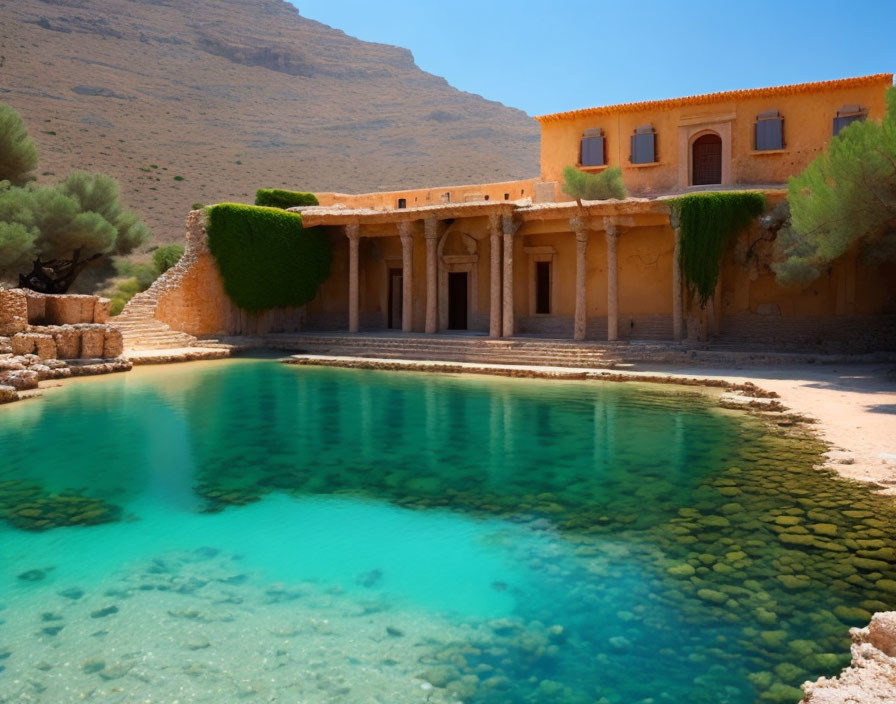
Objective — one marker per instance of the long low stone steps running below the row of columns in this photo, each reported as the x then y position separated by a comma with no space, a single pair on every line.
448,348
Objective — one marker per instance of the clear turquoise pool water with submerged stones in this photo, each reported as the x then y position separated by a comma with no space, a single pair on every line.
581,542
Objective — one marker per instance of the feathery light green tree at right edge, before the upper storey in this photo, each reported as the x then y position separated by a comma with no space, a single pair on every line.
846,197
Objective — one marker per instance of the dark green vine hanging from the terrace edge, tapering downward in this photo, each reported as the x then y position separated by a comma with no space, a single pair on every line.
708,222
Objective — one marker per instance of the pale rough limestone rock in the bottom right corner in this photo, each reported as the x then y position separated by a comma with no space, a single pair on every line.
871,678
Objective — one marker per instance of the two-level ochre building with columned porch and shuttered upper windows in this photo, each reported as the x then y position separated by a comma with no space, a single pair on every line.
522,258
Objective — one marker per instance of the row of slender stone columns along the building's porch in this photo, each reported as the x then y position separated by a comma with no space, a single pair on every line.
502,231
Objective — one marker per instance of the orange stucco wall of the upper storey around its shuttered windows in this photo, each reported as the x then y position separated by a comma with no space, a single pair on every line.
808,125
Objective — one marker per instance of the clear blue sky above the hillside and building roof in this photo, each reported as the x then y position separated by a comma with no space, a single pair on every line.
549,55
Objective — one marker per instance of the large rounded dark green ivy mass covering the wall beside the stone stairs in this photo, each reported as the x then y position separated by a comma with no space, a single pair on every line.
265,256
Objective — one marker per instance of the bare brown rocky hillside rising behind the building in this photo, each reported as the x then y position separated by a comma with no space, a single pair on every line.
206,100
